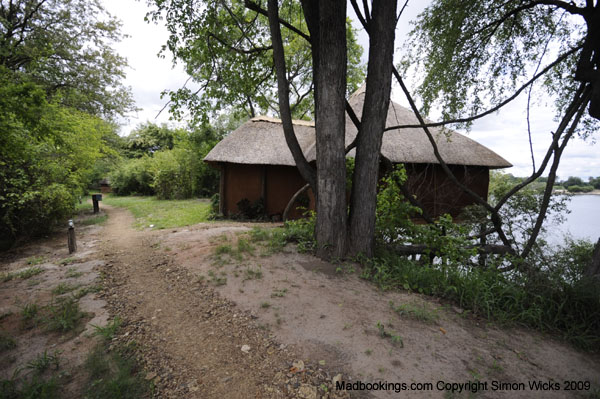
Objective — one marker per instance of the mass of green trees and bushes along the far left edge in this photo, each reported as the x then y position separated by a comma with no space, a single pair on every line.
58,78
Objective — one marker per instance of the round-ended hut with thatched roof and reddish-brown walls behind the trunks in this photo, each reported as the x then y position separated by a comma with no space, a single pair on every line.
256,162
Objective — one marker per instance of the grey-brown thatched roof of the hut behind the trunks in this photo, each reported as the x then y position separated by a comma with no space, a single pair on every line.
261,141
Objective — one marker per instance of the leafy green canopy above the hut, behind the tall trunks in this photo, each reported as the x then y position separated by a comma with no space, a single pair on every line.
226,49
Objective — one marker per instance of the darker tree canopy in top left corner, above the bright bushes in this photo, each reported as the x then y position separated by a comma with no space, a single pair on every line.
64,47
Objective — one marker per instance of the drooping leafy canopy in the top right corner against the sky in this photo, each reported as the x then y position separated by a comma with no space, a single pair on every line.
476,53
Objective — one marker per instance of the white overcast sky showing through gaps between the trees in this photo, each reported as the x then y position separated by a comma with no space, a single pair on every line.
504,132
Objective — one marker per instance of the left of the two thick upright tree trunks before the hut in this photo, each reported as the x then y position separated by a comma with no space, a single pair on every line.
330,130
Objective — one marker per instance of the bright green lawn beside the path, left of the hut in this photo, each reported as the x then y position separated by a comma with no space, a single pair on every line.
162,214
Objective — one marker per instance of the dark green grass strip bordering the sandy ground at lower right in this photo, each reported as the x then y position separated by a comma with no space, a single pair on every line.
569,309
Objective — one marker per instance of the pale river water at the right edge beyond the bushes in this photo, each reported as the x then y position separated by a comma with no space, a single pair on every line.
582,223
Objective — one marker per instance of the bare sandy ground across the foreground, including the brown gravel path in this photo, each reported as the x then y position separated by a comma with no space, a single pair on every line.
288,324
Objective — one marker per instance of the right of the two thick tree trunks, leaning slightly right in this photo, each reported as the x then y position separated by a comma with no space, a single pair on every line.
381,28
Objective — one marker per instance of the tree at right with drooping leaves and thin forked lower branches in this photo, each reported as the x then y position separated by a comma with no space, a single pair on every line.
481,52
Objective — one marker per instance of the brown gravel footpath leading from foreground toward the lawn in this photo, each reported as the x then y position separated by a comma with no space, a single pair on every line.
196,344
